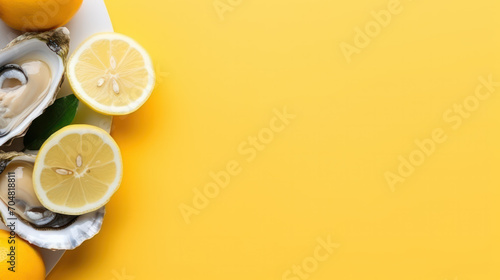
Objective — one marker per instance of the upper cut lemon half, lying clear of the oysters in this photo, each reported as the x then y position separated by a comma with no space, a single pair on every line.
111,73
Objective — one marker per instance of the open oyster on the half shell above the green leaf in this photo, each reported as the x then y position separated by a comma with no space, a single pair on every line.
31,73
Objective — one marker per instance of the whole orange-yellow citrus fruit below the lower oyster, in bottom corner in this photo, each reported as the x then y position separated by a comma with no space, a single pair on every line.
25,260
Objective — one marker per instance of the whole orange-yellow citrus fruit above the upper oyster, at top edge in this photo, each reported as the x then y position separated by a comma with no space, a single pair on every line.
38,15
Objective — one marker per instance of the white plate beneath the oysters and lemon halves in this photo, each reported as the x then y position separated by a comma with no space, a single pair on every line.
91,18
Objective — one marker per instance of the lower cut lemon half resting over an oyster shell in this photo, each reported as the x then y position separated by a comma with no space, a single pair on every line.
77,170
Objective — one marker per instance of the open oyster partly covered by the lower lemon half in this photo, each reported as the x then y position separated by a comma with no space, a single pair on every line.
32,221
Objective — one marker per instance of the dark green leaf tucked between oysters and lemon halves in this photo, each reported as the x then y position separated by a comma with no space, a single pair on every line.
55,117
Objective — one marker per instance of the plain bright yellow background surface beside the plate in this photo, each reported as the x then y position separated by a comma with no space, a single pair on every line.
219,81
